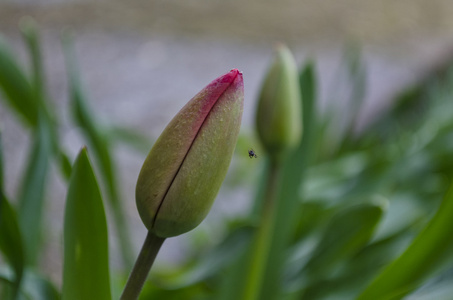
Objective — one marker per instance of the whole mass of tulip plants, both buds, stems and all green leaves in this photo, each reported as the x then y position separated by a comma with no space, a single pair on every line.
338,212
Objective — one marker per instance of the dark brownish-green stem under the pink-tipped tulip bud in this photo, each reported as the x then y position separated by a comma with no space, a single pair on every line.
143,264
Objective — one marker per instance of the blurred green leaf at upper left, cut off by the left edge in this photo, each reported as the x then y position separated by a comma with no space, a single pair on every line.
18,91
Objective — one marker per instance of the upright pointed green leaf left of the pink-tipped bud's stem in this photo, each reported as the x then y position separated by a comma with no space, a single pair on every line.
86,263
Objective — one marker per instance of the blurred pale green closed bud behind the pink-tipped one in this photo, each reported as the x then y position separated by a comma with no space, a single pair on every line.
278,116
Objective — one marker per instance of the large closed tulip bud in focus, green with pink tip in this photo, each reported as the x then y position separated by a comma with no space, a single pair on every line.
186,166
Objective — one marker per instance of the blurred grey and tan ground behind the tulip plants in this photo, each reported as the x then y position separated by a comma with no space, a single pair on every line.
141,61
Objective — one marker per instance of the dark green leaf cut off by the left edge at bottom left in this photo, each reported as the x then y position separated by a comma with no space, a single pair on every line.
11,241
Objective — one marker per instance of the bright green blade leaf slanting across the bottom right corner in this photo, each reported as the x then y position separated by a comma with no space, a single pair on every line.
421,259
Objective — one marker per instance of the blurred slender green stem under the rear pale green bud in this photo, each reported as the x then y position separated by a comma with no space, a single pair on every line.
263,237
